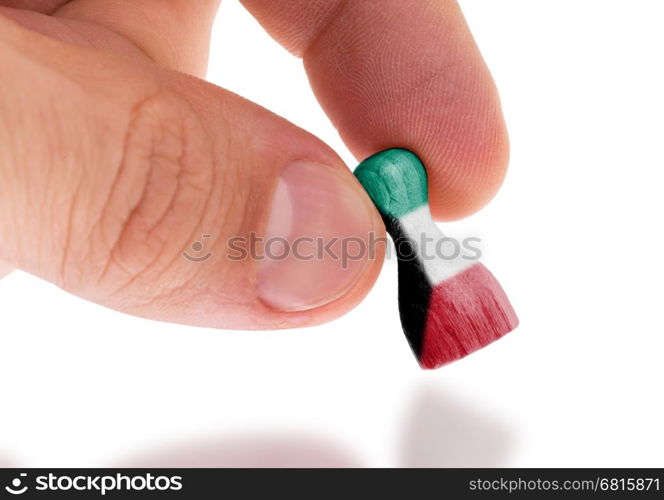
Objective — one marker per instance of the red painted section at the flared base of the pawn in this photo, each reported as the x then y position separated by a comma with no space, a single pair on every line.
465,313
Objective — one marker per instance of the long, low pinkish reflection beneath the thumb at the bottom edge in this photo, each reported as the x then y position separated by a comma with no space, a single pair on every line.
256,451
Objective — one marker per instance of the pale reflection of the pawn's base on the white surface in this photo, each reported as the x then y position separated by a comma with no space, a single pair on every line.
443,431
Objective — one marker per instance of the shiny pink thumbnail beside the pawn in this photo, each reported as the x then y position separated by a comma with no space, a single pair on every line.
316,242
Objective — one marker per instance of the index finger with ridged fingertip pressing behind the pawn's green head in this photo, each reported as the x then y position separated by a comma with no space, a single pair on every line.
391,73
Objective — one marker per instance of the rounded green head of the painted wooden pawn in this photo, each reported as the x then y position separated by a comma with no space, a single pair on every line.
395,180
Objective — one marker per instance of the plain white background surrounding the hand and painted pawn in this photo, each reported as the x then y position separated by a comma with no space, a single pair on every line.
575,237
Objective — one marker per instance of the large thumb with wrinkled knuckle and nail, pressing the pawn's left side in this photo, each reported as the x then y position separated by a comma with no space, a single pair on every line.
163,196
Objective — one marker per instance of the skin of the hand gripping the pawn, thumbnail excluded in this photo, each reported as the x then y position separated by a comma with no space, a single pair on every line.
115,155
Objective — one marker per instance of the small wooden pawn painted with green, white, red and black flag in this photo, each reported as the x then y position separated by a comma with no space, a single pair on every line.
449,307
